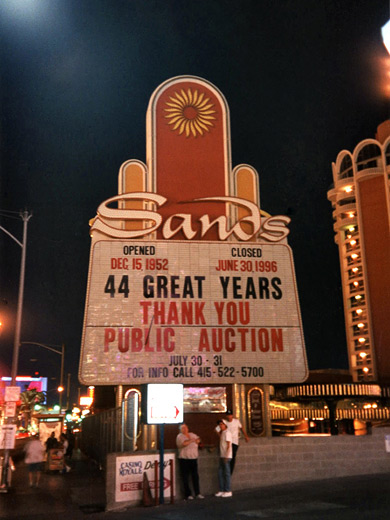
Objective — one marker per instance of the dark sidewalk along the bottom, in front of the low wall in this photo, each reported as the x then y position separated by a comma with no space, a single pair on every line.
80,495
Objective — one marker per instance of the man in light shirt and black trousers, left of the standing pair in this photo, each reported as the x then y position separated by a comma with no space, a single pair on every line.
188,445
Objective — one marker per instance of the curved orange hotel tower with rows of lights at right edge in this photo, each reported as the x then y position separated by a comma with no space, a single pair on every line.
360,200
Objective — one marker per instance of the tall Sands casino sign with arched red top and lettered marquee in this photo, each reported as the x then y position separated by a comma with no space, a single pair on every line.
189,280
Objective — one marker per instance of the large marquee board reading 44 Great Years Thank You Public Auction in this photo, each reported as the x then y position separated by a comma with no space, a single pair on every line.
194,312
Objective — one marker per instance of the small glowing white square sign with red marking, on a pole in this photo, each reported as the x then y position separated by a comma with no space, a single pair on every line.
164,404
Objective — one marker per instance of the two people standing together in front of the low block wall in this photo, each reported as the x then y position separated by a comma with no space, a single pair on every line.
188,443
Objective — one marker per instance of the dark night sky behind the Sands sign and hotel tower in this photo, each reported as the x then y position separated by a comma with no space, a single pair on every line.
304,79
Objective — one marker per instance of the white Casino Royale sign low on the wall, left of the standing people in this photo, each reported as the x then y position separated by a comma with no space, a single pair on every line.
130,471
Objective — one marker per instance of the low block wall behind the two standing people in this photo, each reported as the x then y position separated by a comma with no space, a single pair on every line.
275,460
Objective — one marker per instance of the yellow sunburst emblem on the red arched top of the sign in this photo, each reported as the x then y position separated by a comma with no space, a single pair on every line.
190,113
